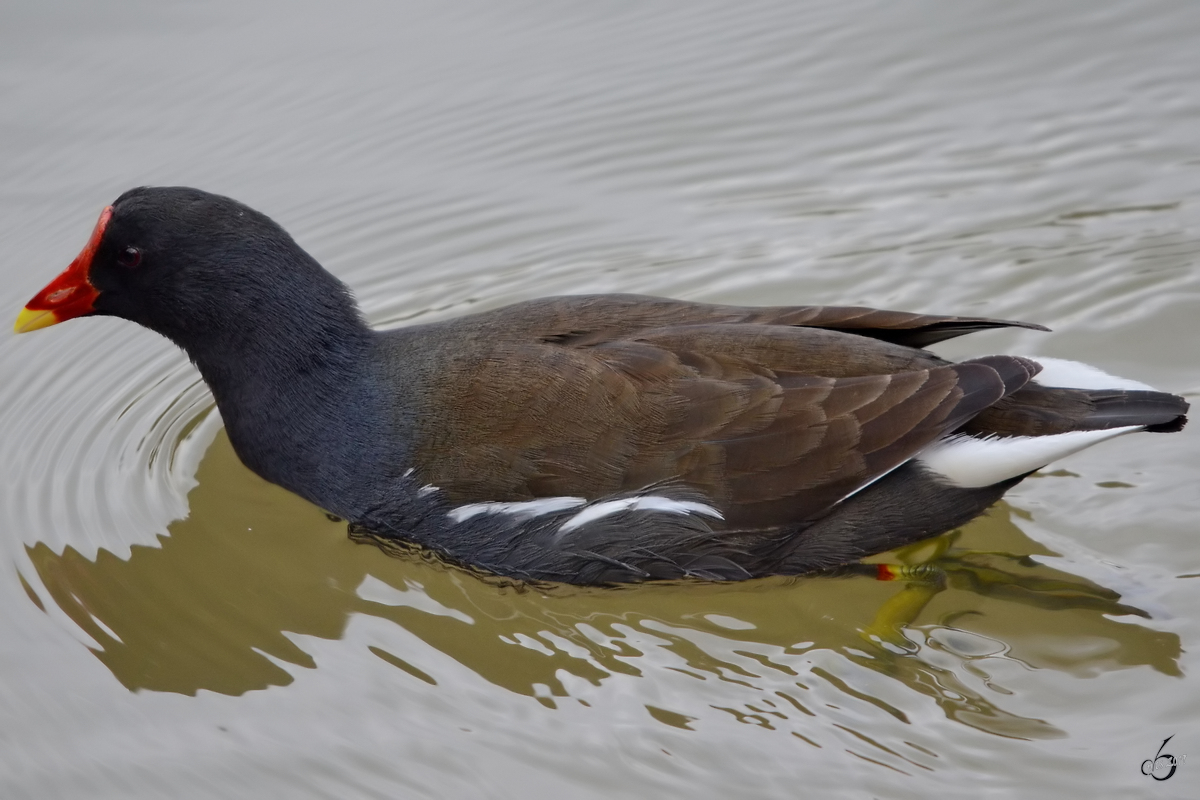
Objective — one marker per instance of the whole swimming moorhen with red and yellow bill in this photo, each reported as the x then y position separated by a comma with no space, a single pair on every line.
591,440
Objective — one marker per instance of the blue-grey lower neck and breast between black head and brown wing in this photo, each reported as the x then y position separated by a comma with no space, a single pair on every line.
298,386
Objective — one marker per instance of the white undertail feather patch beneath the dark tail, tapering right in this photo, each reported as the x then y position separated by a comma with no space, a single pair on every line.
970,464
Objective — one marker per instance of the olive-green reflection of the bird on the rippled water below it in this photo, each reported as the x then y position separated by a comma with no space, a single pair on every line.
213,607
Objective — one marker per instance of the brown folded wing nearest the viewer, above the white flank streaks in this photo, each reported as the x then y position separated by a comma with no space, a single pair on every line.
748,414
